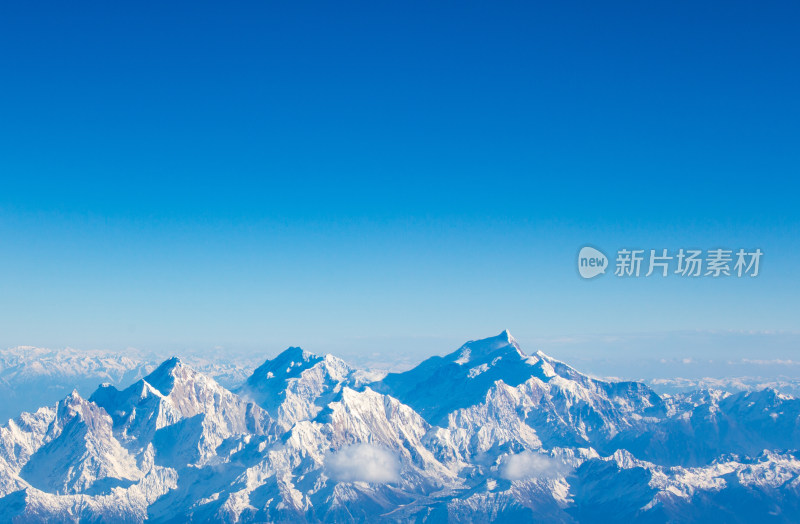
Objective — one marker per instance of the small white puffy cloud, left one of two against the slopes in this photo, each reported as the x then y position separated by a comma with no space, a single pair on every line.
363,463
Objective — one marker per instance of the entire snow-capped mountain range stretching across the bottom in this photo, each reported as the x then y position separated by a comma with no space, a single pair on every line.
486,433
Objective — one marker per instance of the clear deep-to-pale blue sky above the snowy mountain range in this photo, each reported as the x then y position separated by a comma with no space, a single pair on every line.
390,178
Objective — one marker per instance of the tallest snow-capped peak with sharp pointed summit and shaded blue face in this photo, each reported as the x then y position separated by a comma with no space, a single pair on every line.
490,383
